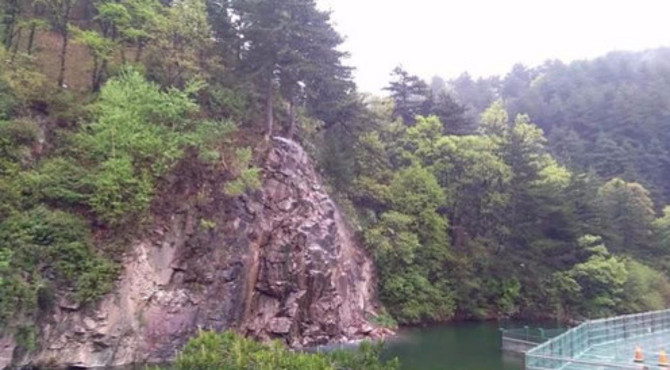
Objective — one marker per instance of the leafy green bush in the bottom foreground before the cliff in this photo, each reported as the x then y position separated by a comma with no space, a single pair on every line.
210,350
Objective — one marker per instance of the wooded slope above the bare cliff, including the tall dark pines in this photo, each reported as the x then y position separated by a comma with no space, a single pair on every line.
111,111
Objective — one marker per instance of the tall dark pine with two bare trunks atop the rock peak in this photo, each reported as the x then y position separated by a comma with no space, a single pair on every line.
288,45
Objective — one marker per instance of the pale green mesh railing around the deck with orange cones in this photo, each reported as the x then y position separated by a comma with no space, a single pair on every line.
567,348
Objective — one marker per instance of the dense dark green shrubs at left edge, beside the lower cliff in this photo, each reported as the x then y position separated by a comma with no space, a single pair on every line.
42,247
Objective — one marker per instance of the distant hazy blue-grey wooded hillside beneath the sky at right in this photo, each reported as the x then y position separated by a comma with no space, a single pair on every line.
609,115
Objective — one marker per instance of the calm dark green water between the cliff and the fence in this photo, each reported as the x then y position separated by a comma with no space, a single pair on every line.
463,346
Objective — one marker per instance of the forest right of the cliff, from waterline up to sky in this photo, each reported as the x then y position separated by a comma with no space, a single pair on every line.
489,211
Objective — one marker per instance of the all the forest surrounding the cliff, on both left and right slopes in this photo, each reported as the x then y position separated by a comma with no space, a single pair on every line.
536,194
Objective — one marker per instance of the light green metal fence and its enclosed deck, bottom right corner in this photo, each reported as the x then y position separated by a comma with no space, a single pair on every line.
604,344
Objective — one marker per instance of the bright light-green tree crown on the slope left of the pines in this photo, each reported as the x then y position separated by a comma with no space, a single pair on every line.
137,119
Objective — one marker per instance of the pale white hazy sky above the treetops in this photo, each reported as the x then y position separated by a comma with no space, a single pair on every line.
484,37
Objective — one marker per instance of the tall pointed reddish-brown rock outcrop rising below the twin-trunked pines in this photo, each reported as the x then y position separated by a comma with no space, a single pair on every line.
312,282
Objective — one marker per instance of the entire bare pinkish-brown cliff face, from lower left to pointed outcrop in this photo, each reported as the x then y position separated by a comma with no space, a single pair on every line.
280,263
